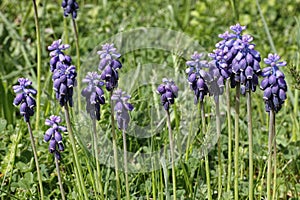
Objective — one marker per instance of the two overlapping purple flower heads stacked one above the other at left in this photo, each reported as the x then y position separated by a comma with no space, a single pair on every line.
64,73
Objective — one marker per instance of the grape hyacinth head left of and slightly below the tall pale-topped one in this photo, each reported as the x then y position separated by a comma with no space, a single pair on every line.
93,94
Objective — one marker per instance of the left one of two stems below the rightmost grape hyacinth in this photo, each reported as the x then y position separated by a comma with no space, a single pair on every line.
269,171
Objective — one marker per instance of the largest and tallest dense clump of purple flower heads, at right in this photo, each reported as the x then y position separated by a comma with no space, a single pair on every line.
236,55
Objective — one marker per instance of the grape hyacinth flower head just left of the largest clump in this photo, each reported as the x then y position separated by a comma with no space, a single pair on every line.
196,76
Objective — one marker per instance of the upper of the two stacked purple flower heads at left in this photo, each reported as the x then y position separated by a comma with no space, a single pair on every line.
57,55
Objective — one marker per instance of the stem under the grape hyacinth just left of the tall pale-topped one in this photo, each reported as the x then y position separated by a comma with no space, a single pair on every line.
98,171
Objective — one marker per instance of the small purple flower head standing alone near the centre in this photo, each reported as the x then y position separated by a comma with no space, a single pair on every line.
168,91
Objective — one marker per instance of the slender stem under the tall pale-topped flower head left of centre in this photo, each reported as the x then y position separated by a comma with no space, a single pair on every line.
114,137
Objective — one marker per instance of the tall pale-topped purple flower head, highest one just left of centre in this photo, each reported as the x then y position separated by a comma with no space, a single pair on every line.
109,65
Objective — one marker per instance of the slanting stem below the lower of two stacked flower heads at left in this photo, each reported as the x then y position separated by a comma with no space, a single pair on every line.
74,151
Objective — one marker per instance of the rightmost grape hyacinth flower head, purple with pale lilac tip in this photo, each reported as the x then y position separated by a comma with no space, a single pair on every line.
273,84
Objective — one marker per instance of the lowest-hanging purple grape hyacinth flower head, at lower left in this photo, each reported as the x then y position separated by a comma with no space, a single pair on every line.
54,136
